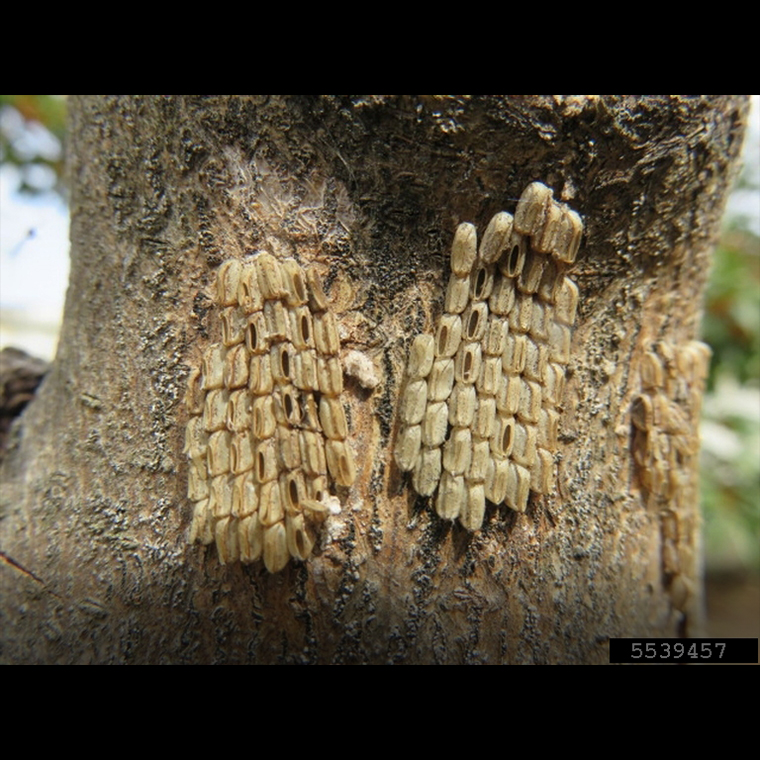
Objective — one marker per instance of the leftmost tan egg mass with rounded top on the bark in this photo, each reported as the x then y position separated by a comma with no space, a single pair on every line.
266,418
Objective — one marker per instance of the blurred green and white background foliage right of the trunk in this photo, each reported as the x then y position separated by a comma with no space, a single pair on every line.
730,465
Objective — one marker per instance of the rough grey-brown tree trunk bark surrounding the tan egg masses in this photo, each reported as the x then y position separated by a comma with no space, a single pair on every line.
94,515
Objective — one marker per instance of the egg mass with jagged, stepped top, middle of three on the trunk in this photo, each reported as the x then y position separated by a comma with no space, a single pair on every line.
479,411
